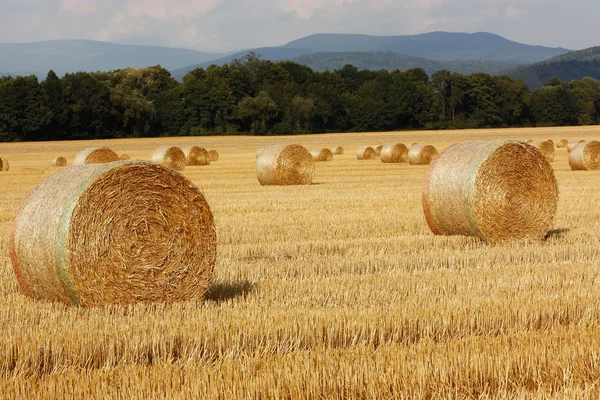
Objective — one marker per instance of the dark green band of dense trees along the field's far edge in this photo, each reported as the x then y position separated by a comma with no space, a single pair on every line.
260,97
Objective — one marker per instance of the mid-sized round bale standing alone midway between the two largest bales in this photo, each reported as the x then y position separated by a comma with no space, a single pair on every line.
285,165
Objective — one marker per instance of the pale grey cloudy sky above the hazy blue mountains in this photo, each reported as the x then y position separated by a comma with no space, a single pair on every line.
224,25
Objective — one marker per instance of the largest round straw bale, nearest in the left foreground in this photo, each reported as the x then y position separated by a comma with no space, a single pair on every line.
116,233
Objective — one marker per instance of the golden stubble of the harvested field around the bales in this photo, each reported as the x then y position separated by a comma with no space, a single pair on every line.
316,295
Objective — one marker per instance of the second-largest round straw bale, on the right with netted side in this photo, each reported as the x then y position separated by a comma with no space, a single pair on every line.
497,190
